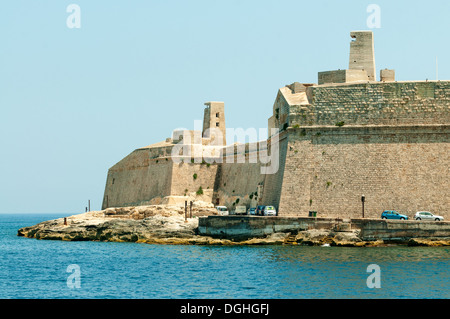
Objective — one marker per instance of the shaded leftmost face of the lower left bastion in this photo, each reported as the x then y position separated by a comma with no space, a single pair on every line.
136,180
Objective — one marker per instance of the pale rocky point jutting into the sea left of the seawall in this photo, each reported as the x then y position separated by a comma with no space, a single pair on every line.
129,224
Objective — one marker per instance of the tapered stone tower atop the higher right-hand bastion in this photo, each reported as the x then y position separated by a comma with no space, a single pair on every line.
362,53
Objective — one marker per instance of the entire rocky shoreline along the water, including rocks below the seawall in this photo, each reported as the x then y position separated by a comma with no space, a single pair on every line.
163,224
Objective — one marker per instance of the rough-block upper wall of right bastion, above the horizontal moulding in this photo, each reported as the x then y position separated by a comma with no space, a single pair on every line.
375,103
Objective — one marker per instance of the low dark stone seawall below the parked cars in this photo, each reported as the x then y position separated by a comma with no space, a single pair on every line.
241,228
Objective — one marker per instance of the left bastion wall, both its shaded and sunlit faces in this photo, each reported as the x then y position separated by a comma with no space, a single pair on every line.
147,175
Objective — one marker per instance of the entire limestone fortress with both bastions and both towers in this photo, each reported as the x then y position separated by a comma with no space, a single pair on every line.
346,137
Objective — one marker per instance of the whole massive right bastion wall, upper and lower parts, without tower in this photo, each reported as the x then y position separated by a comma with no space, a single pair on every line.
387,141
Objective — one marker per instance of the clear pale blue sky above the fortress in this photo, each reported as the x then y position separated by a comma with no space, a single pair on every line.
76,101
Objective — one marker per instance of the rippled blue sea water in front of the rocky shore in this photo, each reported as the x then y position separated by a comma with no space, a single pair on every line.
37,269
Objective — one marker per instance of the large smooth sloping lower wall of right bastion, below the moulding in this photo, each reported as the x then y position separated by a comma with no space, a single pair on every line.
400,168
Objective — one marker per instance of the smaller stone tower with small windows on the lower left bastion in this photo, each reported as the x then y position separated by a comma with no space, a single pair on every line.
214,122
